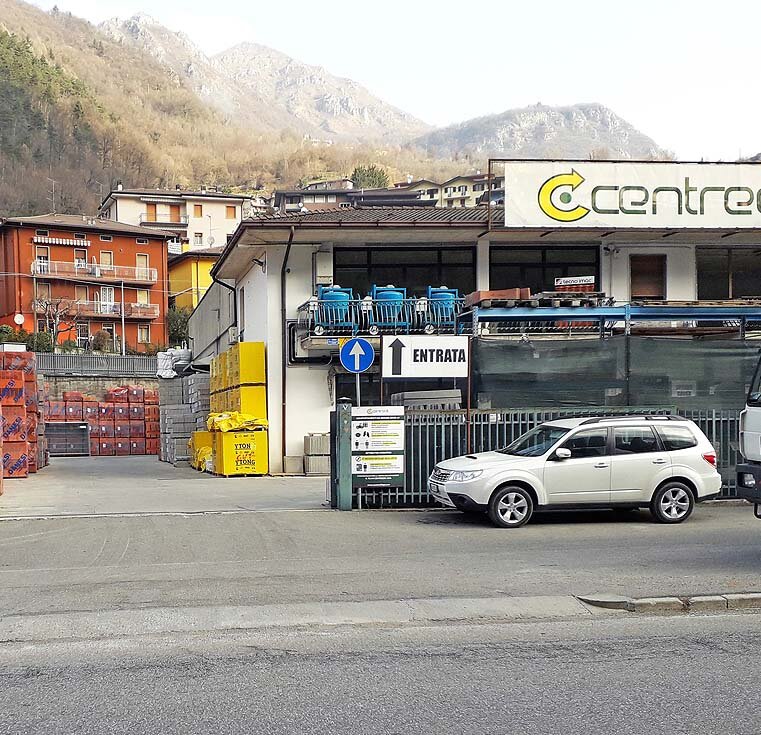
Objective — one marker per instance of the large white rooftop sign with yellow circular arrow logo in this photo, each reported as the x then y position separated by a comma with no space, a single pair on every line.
622,195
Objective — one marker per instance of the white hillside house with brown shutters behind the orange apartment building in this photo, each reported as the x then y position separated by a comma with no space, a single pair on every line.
198,219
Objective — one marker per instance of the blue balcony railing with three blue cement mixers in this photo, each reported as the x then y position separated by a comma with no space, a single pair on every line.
325,318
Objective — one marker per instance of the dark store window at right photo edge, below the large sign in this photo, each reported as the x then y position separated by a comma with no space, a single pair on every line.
728,274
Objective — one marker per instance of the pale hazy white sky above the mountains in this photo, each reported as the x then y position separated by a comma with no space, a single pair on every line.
683,72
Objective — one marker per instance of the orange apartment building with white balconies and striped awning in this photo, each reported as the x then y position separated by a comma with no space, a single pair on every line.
82,265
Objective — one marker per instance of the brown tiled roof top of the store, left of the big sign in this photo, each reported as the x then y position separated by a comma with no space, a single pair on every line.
443,217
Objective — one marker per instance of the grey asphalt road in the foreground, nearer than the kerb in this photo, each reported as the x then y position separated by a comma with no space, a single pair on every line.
697,675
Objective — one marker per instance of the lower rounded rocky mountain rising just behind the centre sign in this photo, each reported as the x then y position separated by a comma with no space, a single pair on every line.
540,131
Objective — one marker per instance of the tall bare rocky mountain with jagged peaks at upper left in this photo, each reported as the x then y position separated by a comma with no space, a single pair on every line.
266,89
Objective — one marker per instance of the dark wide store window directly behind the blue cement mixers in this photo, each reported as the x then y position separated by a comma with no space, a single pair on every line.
409,267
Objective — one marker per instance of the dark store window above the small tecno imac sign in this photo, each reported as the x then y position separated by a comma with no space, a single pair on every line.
538,267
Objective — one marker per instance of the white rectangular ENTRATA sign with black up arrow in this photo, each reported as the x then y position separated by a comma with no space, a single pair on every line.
419,356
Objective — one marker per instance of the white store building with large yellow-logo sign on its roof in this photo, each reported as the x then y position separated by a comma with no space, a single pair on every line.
280,265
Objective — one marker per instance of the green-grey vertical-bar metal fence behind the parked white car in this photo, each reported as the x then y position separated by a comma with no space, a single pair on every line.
433,436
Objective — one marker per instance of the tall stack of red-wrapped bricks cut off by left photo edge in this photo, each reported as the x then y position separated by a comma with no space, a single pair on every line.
22,434
